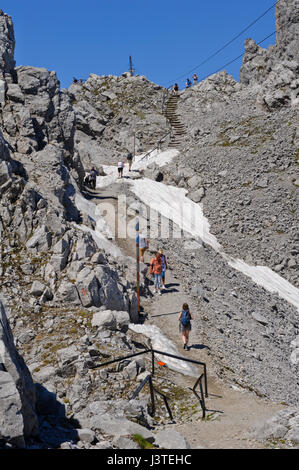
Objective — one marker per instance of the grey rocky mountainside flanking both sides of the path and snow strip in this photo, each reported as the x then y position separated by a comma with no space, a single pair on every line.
68,294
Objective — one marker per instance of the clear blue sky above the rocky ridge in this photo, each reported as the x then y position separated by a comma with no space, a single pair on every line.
166,39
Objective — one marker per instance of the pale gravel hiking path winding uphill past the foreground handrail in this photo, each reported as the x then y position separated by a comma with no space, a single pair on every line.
232,411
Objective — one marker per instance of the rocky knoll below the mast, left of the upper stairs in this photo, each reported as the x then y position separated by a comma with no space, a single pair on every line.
115,115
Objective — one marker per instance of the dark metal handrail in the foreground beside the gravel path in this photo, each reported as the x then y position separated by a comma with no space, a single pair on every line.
153,351
